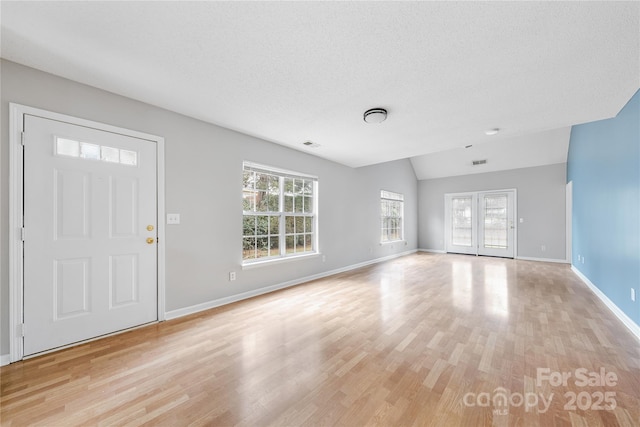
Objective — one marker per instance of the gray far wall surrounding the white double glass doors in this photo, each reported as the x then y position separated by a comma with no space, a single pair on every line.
541,203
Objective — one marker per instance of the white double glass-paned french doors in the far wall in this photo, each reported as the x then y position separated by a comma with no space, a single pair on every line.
481,223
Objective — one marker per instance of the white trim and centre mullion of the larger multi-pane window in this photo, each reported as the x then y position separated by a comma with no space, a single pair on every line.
283,173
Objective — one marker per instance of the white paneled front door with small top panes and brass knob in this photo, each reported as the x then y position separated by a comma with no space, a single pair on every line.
90,219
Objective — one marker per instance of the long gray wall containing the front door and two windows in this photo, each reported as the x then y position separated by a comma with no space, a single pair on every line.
203,184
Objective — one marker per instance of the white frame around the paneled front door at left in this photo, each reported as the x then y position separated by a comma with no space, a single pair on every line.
16,191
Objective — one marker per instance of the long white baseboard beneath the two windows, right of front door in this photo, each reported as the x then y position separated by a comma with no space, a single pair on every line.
173,314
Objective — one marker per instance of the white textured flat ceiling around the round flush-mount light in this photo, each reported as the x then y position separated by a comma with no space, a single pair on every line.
289,72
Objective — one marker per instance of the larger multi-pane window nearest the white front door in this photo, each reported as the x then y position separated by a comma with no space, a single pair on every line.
279,213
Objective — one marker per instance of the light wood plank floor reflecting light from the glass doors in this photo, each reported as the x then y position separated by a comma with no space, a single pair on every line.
421,340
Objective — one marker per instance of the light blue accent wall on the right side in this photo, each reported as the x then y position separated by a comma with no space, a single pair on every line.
604,165
